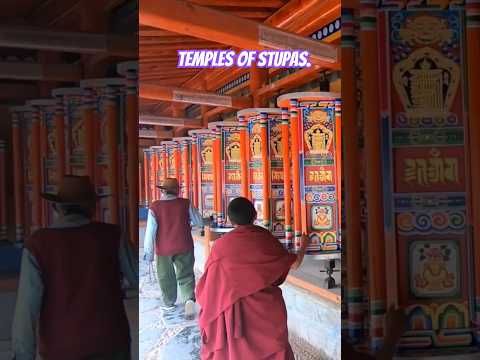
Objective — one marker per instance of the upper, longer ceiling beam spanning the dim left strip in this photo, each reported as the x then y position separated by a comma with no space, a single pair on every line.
74,42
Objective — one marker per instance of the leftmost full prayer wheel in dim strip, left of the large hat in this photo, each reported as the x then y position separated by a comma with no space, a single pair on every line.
21,139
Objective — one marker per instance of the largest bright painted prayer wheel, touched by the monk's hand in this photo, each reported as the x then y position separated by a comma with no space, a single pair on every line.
315,148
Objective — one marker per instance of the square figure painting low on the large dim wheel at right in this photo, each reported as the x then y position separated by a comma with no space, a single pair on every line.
434,268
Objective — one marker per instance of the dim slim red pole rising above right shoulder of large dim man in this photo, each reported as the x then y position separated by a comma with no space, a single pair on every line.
111,113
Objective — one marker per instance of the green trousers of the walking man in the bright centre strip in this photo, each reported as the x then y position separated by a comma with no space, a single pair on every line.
173,270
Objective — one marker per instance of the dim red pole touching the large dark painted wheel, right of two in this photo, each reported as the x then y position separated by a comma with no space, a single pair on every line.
371,115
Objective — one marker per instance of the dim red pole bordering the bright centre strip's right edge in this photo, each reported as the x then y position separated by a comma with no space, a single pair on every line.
351,178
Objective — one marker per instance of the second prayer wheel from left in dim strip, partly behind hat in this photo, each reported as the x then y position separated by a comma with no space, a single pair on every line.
44,163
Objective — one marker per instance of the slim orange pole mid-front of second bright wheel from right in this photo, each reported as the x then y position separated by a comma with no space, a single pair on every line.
265,169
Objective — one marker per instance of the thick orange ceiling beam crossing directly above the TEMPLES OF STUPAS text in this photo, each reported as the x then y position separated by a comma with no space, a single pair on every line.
212,25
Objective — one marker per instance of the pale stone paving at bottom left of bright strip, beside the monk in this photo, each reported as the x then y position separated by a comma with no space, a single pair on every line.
163,336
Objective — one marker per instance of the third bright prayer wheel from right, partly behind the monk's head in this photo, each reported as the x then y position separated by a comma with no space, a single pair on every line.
227,168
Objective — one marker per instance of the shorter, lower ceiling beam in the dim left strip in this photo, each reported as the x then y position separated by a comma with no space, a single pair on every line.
40,72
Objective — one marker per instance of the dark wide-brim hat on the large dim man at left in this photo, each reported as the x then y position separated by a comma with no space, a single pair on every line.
74,190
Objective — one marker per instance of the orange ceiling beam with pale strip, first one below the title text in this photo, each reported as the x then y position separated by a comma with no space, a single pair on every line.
182,95
